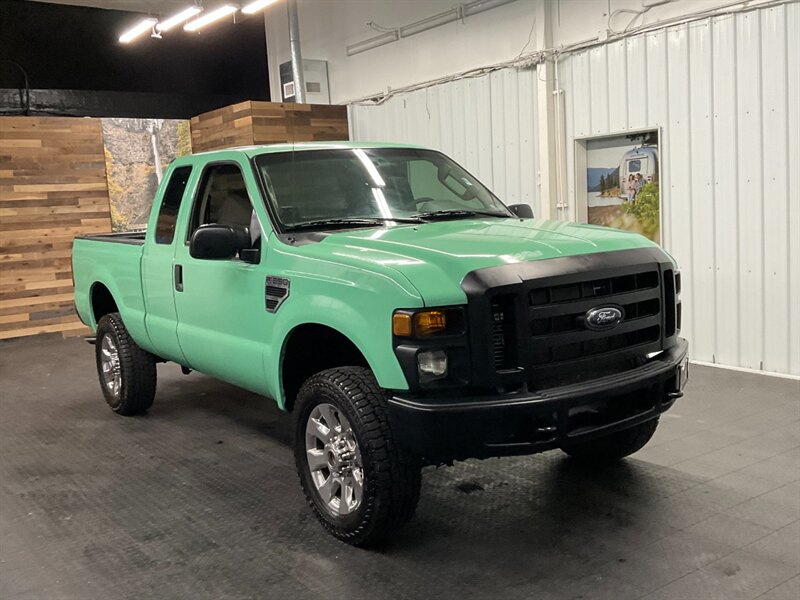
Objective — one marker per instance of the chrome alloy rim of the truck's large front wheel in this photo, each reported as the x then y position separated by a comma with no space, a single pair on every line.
334,460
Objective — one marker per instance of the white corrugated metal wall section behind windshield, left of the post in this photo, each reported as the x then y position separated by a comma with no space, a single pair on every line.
487,124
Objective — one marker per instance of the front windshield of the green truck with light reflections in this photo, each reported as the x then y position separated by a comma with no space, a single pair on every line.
363,187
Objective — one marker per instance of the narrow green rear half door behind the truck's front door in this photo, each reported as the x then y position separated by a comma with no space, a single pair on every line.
158,270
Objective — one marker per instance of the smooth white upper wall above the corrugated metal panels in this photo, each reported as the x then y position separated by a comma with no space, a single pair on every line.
496,35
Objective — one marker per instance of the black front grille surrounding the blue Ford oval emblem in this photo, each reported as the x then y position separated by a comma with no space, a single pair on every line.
528,321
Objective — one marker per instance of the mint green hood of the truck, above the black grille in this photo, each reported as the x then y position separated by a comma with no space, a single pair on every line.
436,256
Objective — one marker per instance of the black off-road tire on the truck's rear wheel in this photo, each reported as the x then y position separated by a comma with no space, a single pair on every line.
137,369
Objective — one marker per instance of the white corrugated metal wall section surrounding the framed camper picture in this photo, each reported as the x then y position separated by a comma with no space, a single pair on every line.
719,89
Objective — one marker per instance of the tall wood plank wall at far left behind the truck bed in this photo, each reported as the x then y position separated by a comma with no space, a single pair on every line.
52,187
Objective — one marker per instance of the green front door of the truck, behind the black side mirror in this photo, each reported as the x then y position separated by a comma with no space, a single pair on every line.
222,320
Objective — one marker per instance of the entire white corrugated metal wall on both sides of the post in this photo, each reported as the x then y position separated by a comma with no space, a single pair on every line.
726,94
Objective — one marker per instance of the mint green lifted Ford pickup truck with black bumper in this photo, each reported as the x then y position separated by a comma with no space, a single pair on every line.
400,311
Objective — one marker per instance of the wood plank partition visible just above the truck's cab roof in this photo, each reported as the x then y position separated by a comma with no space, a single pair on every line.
253,122
